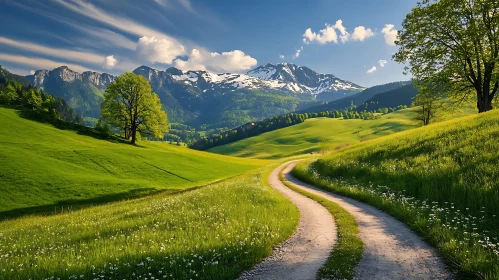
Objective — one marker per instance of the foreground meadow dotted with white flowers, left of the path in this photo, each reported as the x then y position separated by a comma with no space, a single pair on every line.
213,232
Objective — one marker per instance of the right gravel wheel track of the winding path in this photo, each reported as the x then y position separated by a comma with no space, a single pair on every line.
391,250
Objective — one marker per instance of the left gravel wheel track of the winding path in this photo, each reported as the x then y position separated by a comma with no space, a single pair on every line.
301,256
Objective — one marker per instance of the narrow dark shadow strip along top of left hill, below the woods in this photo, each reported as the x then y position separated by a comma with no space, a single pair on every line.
62,125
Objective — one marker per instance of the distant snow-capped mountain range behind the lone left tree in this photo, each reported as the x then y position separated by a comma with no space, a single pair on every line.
202,98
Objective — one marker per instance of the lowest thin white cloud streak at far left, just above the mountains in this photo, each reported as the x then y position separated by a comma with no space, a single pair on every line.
41,63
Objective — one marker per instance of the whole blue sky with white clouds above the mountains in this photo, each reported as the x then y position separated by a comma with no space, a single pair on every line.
352,39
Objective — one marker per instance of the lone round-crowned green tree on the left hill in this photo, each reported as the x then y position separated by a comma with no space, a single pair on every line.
131,106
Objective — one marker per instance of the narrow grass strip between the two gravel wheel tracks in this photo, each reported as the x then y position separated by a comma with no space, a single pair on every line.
348,249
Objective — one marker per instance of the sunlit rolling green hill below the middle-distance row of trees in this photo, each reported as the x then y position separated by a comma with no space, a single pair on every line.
317,134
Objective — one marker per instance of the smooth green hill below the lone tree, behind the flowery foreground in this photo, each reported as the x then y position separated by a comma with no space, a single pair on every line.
44,169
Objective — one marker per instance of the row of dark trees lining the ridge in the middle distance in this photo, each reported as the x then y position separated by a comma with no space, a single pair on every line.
256,128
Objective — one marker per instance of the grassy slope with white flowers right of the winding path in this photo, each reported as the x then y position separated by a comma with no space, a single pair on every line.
442,180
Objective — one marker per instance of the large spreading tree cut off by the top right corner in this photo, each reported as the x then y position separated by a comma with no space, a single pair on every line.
453,45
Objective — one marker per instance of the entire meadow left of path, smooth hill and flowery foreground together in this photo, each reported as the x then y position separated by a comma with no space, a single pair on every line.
214,231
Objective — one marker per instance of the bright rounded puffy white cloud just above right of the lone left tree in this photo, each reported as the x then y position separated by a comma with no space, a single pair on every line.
159,50
